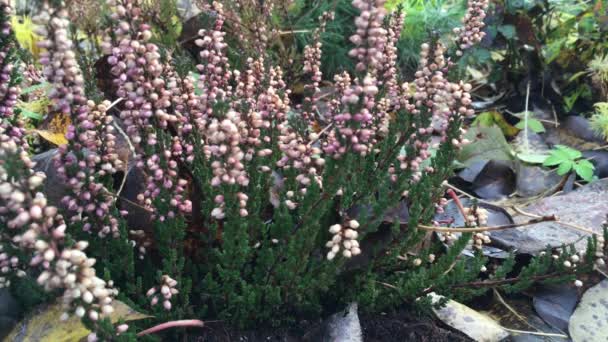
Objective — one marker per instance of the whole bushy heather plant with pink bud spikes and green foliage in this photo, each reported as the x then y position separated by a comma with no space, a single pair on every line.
258,208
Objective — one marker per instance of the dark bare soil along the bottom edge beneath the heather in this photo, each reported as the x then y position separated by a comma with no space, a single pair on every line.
400,326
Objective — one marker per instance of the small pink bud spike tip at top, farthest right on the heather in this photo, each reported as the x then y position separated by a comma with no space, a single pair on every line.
472,33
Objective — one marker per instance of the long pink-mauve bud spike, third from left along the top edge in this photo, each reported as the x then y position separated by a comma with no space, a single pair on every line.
138,73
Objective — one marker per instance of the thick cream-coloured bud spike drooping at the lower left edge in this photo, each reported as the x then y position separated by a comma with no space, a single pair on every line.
35,227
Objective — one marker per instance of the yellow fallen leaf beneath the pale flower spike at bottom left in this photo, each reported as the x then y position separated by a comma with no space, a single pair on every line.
46,325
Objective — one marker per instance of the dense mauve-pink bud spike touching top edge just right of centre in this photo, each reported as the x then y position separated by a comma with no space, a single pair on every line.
370,36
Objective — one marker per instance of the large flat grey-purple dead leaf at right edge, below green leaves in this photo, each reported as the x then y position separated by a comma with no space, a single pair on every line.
586,207
